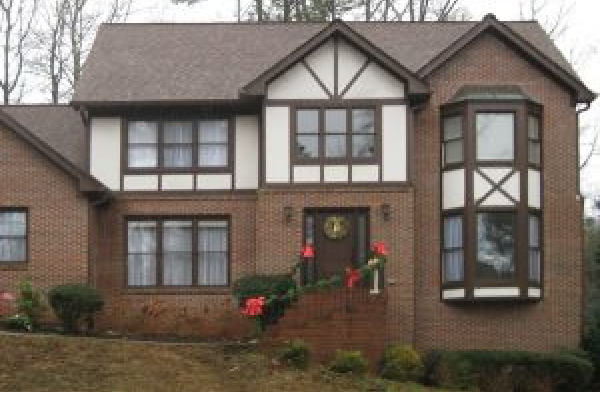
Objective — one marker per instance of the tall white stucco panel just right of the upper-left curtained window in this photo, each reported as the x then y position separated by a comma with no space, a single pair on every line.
246,152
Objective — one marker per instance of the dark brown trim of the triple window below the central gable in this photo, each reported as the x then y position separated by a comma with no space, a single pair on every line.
321,107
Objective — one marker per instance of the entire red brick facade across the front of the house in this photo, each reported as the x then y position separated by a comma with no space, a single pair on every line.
263,241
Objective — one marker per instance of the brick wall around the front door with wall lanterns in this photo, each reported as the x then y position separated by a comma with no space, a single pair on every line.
281,242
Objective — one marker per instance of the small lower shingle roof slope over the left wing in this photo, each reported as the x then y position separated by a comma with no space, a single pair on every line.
59,126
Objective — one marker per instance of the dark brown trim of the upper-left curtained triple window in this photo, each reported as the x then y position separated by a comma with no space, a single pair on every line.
195,168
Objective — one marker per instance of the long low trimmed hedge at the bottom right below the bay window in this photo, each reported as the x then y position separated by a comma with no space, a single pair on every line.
508,371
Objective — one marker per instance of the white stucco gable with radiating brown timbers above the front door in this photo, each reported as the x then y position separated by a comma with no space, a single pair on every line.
336,69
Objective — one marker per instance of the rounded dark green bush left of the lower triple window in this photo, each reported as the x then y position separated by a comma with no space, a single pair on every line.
75,304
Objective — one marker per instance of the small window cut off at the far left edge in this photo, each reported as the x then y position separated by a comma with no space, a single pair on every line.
13,236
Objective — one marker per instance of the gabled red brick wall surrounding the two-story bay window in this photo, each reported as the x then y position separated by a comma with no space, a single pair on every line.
554,322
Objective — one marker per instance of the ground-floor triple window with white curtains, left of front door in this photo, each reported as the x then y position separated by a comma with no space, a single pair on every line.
177,252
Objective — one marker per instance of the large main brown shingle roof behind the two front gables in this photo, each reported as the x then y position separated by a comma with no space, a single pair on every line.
183,62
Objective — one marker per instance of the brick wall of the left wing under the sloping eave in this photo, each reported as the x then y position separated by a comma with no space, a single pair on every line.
57,214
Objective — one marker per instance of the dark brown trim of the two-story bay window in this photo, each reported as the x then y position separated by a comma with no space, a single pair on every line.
520,163
